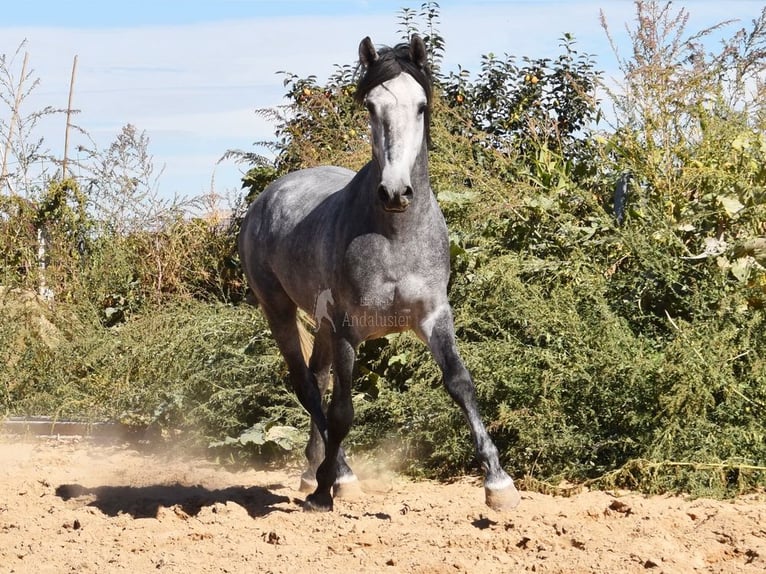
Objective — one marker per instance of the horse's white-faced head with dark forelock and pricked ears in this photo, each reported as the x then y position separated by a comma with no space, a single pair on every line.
396,89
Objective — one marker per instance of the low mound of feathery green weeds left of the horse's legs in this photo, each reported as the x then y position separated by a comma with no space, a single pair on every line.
208,370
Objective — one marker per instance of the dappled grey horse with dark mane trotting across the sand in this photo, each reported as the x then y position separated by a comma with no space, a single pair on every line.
373,248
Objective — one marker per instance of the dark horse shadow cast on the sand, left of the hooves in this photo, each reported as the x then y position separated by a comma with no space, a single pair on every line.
145,501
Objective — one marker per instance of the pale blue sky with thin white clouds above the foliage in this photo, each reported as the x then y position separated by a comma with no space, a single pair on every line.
191,73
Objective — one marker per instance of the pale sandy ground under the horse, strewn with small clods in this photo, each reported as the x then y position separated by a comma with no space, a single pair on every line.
73,507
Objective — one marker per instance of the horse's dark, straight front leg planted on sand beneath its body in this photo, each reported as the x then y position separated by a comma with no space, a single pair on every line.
340,414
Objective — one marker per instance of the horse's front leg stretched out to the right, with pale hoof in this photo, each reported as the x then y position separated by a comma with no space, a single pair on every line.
439,333
